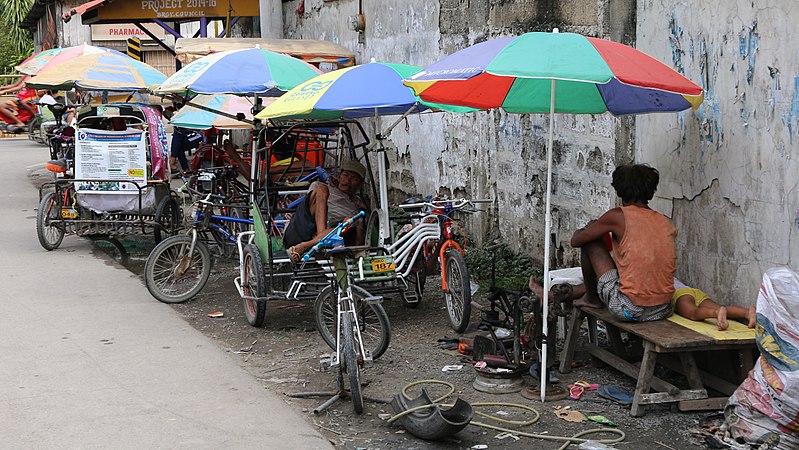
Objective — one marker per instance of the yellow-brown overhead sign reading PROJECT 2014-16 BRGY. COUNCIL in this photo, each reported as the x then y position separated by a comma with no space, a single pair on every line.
170,9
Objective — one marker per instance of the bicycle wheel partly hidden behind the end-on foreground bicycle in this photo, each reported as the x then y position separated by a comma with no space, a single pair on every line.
372,321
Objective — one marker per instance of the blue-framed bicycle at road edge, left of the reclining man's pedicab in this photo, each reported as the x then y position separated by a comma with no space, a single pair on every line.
179,266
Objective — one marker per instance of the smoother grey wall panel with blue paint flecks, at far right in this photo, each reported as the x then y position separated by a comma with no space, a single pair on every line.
731,167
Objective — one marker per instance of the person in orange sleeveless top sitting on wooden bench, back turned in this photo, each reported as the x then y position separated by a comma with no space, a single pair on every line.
639,284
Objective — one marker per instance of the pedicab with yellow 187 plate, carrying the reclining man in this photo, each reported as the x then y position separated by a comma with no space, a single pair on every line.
289,158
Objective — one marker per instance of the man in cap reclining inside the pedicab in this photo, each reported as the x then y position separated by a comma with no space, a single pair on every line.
324,207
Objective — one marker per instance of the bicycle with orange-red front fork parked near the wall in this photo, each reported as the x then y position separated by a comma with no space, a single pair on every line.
429,243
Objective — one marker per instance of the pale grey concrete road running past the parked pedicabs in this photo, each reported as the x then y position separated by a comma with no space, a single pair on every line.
89,360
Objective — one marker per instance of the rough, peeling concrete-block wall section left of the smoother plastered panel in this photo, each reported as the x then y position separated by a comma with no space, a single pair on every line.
488,154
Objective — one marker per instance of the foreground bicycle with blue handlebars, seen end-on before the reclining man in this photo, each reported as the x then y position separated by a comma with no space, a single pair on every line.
352,352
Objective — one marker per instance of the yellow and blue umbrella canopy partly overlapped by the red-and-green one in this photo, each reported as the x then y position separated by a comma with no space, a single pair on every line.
367,90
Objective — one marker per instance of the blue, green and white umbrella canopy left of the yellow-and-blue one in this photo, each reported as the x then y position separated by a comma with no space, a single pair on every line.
248,71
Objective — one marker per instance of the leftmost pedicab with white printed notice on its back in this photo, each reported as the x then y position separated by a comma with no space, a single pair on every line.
118,184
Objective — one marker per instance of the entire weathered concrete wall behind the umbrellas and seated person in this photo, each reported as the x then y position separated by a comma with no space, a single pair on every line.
726,169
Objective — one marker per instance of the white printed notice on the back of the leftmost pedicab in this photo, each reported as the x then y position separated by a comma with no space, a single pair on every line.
110,155
